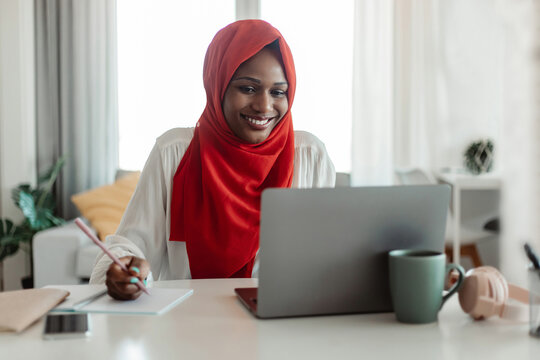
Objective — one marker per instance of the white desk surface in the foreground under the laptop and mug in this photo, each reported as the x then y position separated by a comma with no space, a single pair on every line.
212,324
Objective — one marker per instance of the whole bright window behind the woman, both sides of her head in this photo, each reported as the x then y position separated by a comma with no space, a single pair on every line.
161,47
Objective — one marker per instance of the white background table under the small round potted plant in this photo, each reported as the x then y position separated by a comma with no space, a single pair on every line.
460,182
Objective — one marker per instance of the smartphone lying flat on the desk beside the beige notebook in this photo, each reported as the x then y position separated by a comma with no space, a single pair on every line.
61,326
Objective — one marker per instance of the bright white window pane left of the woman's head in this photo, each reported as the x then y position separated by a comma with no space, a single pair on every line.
161,48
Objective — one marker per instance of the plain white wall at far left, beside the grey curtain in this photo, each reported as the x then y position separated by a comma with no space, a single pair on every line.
17,117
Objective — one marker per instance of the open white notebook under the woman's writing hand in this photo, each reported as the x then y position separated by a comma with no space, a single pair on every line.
158,302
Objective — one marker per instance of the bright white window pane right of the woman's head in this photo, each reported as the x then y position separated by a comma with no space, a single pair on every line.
319,35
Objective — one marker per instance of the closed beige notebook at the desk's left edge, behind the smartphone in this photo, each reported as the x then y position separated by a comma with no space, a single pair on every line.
20,308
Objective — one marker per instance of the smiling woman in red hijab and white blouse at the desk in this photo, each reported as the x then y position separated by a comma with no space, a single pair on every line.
195,212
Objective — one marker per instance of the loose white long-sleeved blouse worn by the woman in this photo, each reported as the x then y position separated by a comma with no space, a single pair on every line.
145,226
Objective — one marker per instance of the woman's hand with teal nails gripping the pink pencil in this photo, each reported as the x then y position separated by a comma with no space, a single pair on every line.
122,285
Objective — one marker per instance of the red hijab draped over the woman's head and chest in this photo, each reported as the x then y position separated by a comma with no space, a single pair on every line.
217,187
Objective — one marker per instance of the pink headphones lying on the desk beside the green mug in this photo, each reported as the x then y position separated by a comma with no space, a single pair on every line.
485,292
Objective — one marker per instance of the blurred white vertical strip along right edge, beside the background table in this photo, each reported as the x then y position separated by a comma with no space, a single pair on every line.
521,140
